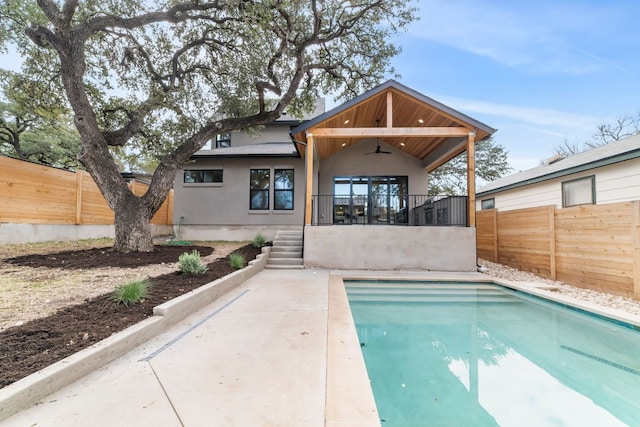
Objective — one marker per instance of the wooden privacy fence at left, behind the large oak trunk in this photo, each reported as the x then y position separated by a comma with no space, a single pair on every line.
37,194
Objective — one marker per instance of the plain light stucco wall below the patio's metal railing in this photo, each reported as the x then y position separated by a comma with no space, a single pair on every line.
390,248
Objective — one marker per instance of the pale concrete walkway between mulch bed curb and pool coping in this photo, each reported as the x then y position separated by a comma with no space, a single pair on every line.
255,357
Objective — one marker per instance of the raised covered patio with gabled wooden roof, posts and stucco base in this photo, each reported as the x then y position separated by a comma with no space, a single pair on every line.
402,130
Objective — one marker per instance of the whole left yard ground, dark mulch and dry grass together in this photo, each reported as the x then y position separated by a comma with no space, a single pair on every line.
55,298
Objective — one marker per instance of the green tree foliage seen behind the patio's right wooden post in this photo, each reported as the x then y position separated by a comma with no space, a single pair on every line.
451,177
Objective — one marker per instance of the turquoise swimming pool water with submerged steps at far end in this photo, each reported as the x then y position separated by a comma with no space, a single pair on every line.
457,354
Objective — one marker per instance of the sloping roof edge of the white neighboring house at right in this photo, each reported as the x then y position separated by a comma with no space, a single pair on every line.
614,152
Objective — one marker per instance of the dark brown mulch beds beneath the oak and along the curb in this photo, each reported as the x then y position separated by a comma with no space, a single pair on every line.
37,344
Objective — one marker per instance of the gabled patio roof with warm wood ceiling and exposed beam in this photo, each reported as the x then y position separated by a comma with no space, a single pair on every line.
398,116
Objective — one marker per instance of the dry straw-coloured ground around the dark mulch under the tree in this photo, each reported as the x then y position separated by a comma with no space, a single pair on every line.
32,291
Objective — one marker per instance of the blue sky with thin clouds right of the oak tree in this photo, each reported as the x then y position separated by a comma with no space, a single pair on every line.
541,72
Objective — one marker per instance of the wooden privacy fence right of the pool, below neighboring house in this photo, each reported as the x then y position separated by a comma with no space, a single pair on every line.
595,246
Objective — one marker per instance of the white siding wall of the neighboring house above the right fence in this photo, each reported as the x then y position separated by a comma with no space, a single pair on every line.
615,183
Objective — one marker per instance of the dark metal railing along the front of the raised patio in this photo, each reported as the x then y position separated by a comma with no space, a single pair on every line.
408,209
